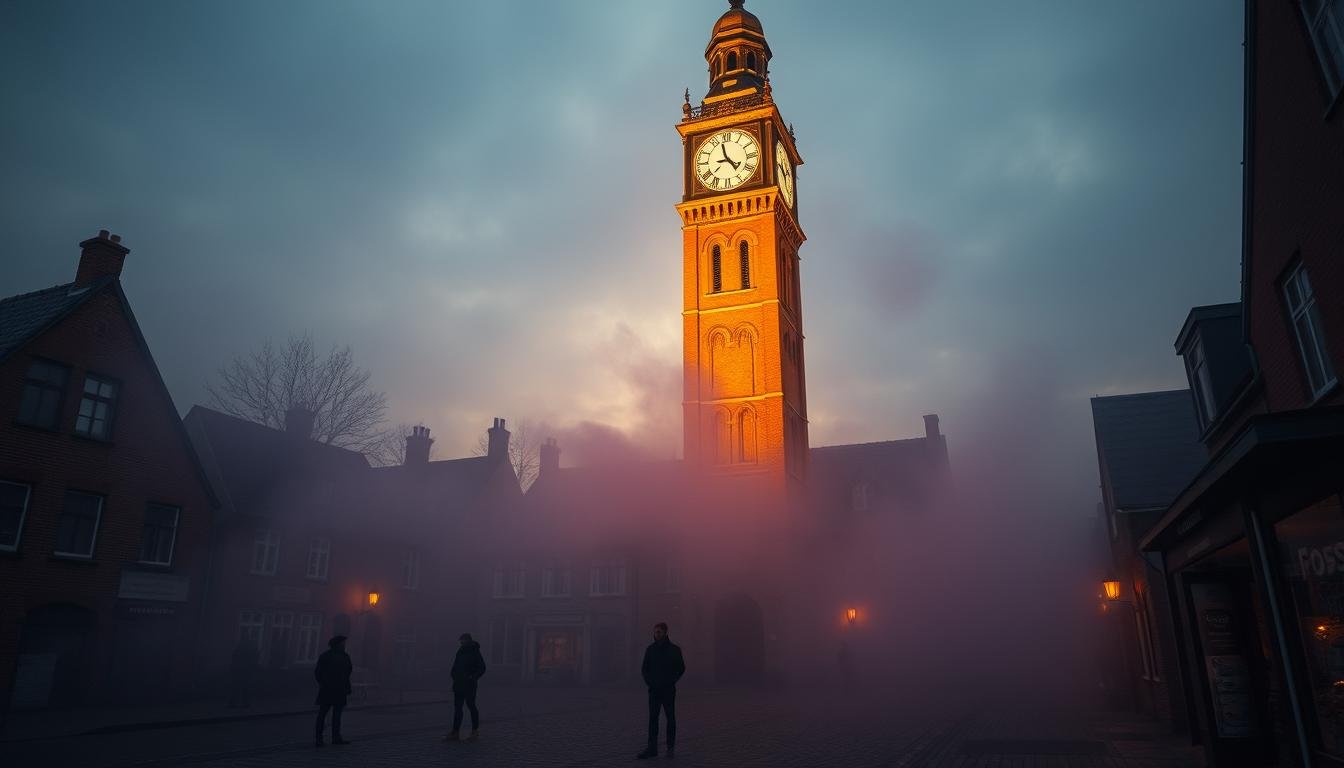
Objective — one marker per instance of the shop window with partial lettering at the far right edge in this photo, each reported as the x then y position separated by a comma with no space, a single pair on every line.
1312,555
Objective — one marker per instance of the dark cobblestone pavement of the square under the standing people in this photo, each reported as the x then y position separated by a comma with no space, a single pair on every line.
605,728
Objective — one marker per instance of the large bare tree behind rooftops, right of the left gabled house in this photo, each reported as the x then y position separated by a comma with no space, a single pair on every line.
263,385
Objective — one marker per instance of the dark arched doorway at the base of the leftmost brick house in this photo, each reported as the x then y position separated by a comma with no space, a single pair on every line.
54,645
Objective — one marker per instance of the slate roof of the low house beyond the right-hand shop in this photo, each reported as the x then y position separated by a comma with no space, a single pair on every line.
1148,447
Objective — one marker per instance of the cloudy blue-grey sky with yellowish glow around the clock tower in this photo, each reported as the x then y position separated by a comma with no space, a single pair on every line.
1010,206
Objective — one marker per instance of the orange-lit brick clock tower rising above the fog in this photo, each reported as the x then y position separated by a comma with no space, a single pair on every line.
745,407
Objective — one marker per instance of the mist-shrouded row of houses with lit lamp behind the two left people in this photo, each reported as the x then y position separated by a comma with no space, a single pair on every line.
308,533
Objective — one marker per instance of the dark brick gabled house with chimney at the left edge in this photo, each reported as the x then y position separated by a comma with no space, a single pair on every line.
106,516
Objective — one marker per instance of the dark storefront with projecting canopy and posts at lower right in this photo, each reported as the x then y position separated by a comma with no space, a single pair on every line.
1253,553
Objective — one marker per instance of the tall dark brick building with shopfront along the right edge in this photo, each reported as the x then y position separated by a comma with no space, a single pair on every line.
1253,548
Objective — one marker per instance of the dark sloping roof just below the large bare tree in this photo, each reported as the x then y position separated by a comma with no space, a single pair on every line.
252,465
